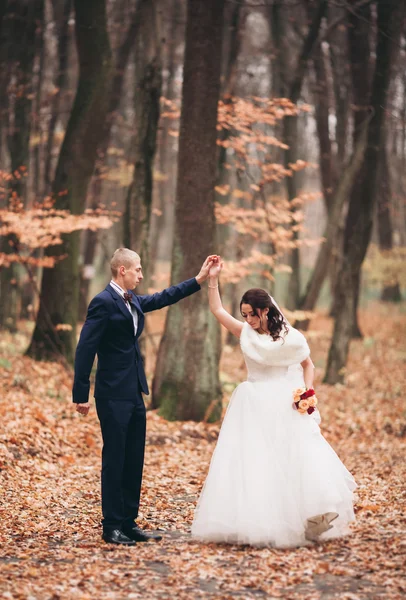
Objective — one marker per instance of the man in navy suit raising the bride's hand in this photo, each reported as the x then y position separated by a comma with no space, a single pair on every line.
114,322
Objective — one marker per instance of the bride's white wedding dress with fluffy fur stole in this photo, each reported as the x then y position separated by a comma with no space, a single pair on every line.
272,469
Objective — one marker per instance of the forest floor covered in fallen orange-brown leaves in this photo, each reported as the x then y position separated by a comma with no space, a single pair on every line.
50,540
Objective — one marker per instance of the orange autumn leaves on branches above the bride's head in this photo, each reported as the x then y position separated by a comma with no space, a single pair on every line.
265,223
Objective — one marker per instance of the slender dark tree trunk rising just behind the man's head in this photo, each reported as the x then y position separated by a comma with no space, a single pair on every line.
147,94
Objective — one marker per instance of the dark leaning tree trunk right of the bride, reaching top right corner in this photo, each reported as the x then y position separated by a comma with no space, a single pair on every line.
361,209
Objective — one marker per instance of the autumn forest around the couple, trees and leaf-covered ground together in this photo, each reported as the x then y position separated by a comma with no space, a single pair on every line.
270,132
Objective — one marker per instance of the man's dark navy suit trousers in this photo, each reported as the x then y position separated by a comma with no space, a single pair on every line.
123,427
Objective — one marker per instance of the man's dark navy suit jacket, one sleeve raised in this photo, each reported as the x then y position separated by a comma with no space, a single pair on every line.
109,332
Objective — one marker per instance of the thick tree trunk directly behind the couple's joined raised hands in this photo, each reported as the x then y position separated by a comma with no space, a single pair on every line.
186,380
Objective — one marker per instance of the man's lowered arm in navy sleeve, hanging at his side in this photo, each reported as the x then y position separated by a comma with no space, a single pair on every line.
90,336
